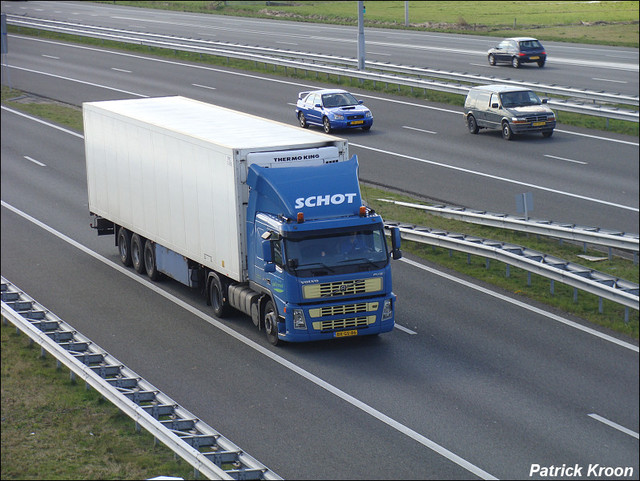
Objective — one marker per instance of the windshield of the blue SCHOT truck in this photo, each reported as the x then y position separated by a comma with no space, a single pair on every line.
354,251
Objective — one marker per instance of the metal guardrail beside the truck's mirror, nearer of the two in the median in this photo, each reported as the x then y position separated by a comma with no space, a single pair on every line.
577,276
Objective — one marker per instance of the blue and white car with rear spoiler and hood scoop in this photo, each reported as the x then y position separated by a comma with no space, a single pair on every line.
332,109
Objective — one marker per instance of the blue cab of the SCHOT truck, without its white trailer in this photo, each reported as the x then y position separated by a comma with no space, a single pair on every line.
319,253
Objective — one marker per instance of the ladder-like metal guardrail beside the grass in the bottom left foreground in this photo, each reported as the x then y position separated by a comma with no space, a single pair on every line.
190,438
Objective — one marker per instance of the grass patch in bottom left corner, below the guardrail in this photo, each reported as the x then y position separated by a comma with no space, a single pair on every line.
53,428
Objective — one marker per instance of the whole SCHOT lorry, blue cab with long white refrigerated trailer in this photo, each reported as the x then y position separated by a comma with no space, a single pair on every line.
262,217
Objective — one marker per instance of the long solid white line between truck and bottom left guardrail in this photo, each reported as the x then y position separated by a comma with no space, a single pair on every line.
264,351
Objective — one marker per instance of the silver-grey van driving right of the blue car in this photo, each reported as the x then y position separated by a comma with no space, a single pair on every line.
514,110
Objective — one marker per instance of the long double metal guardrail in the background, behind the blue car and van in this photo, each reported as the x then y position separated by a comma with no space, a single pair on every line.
340,66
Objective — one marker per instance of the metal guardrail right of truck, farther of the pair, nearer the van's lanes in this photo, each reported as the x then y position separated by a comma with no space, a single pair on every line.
572,232
